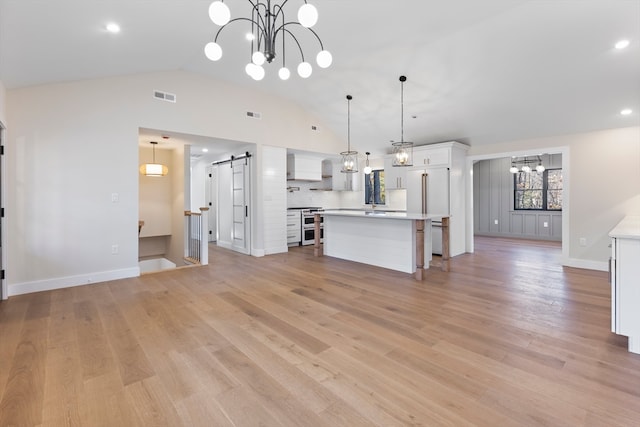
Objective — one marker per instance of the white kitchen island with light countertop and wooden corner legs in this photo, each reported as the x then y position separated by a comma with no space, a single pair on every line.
396,240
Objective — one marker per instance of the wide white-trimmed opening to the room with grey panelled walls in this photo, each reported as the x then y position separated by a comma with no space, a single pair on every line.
530,205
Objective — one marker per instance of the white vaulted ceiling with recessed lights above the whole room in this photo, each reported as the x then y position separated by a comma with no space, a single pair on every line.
478,71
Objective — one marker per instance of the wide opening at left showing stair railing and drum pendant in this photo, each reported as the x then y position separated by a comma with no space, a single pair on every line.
193,186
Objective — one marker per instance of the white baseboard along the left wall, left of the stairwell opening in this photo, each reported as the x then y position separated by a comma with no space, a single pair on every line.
68,282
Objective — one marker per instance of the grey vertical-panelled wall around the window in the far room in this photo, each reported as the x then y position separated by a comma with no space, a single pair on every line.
493,201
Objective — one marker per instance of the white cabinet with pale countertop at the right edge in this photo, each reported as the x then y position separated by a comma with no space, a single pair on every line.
625,280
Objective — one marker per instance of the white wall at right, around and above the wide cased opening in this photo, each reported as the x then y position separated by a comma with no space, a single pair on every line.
603,173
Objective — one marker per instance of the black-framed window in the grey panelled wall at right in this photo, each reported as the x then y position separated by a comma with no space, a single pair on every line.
538,191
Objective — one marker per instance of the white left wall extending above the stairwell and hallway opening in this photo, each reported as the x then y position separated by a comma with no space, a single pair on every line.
71,145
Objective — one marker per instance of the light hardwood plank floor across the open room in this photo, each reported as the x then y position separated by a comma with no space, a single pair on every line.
508,337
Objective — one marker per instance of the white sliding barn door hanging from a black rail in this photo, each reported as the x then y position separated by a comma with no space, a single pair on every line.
241,196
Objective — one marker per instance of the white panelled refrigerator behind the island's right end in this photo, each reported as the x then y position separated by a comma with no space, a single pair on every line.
428,191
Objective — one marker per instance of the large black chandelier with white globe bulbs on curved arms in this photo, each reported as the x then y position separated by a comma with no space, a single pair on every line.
268,30
